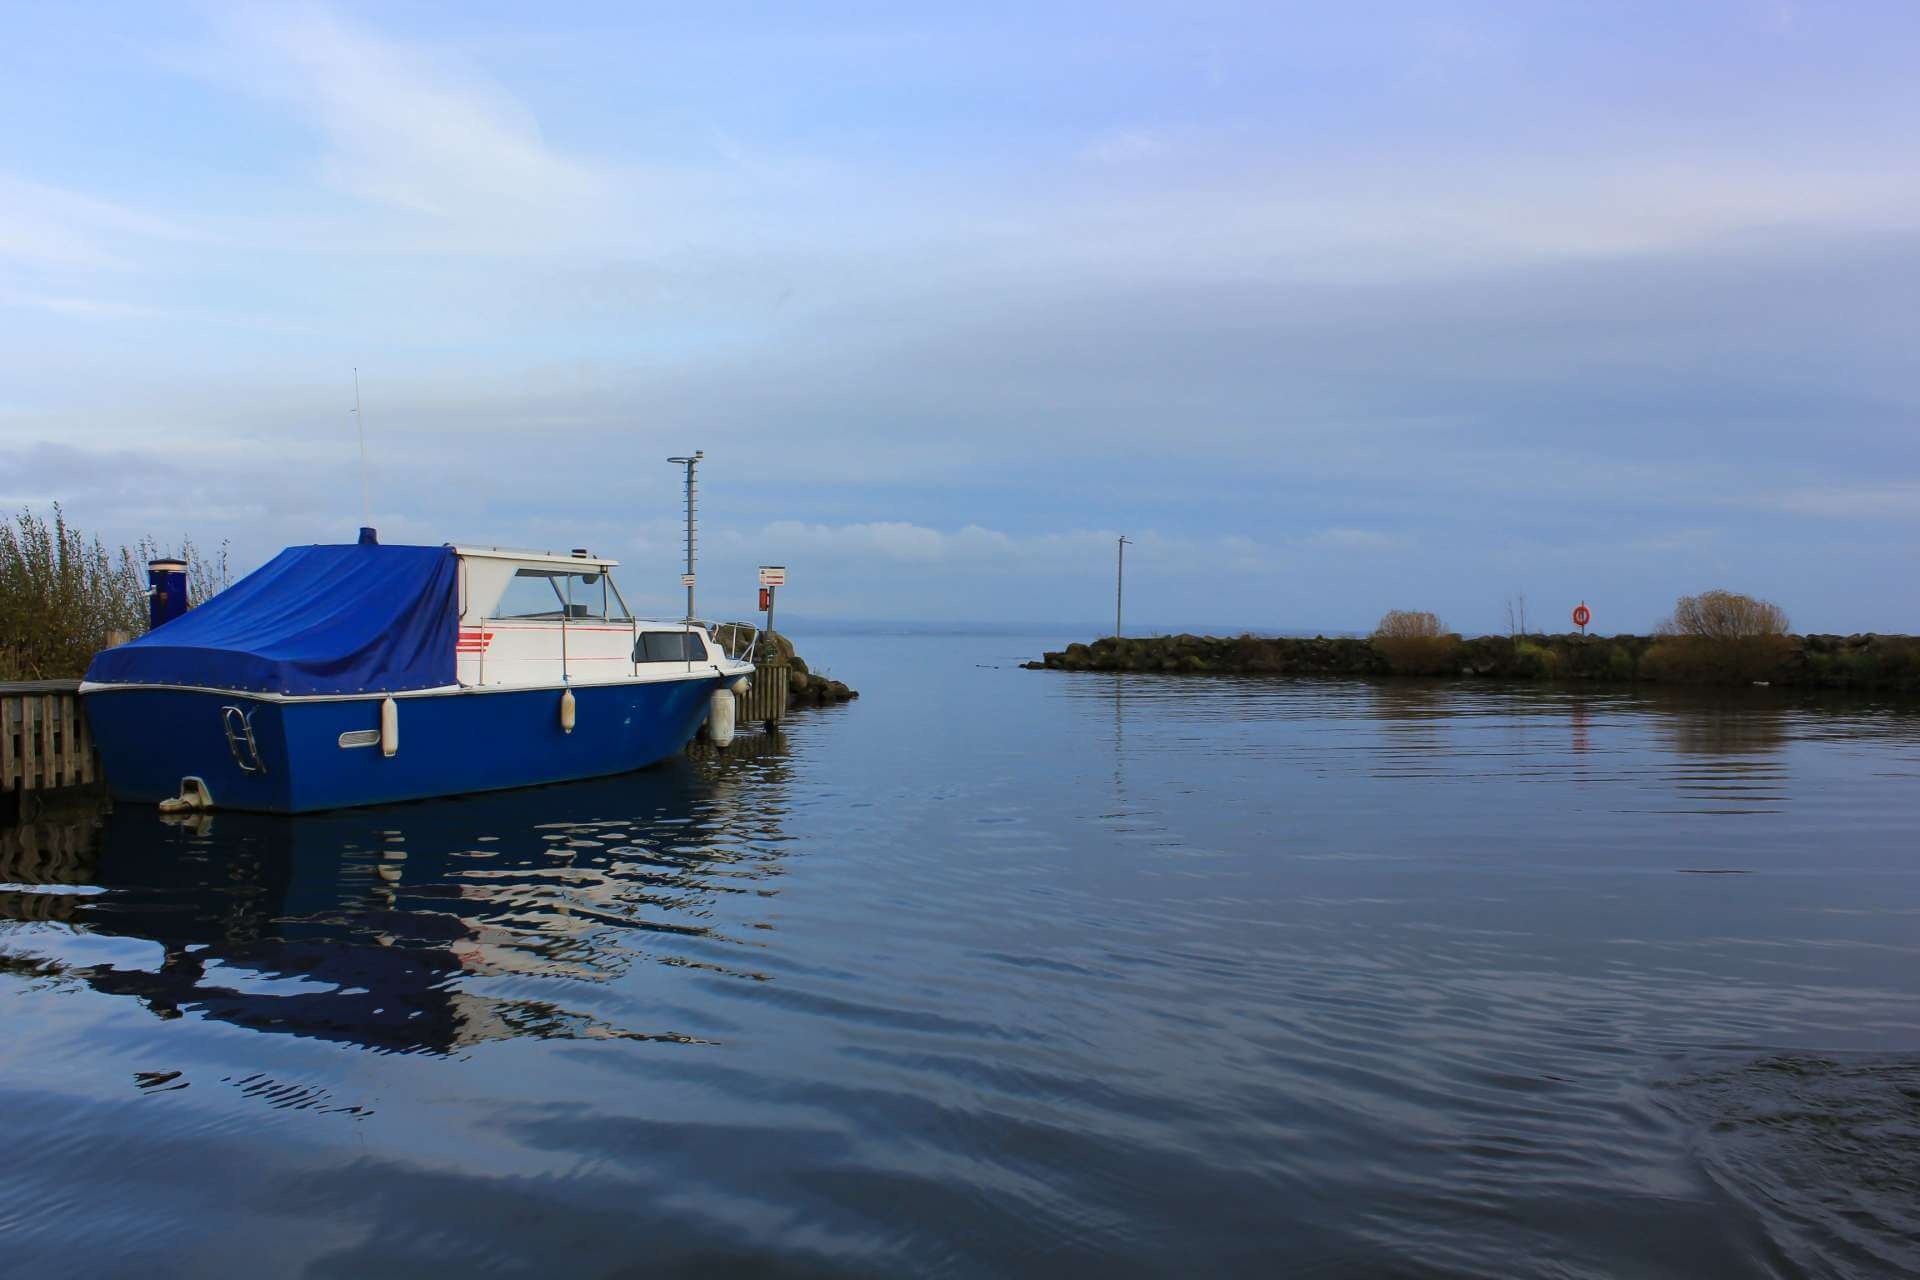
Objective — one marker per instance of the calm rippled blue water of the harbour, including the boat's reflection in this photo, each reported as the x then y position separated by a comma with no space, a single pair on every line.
1005,972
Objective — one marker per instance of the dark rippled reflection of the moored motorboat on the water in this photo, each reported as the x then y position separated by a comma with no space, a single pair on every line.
393,928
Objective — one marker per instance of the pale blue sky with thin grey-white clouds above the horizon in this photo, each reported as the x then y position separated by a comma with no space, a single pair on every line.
1330,308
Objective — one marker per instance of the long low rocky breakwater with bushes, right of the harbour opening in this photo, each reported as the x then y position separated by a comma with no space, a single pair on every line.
1890,663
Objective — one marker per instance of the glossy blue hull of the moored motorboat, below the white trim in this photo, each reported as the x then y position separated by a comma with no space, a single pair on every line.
448,742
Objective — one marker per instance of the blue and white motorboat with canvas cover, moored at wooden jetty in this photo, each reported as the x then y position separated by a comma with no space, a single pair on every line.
362,675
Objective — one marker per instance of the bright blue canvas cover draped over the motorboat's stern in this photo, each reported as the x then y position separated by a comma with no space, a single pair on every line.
356,619
